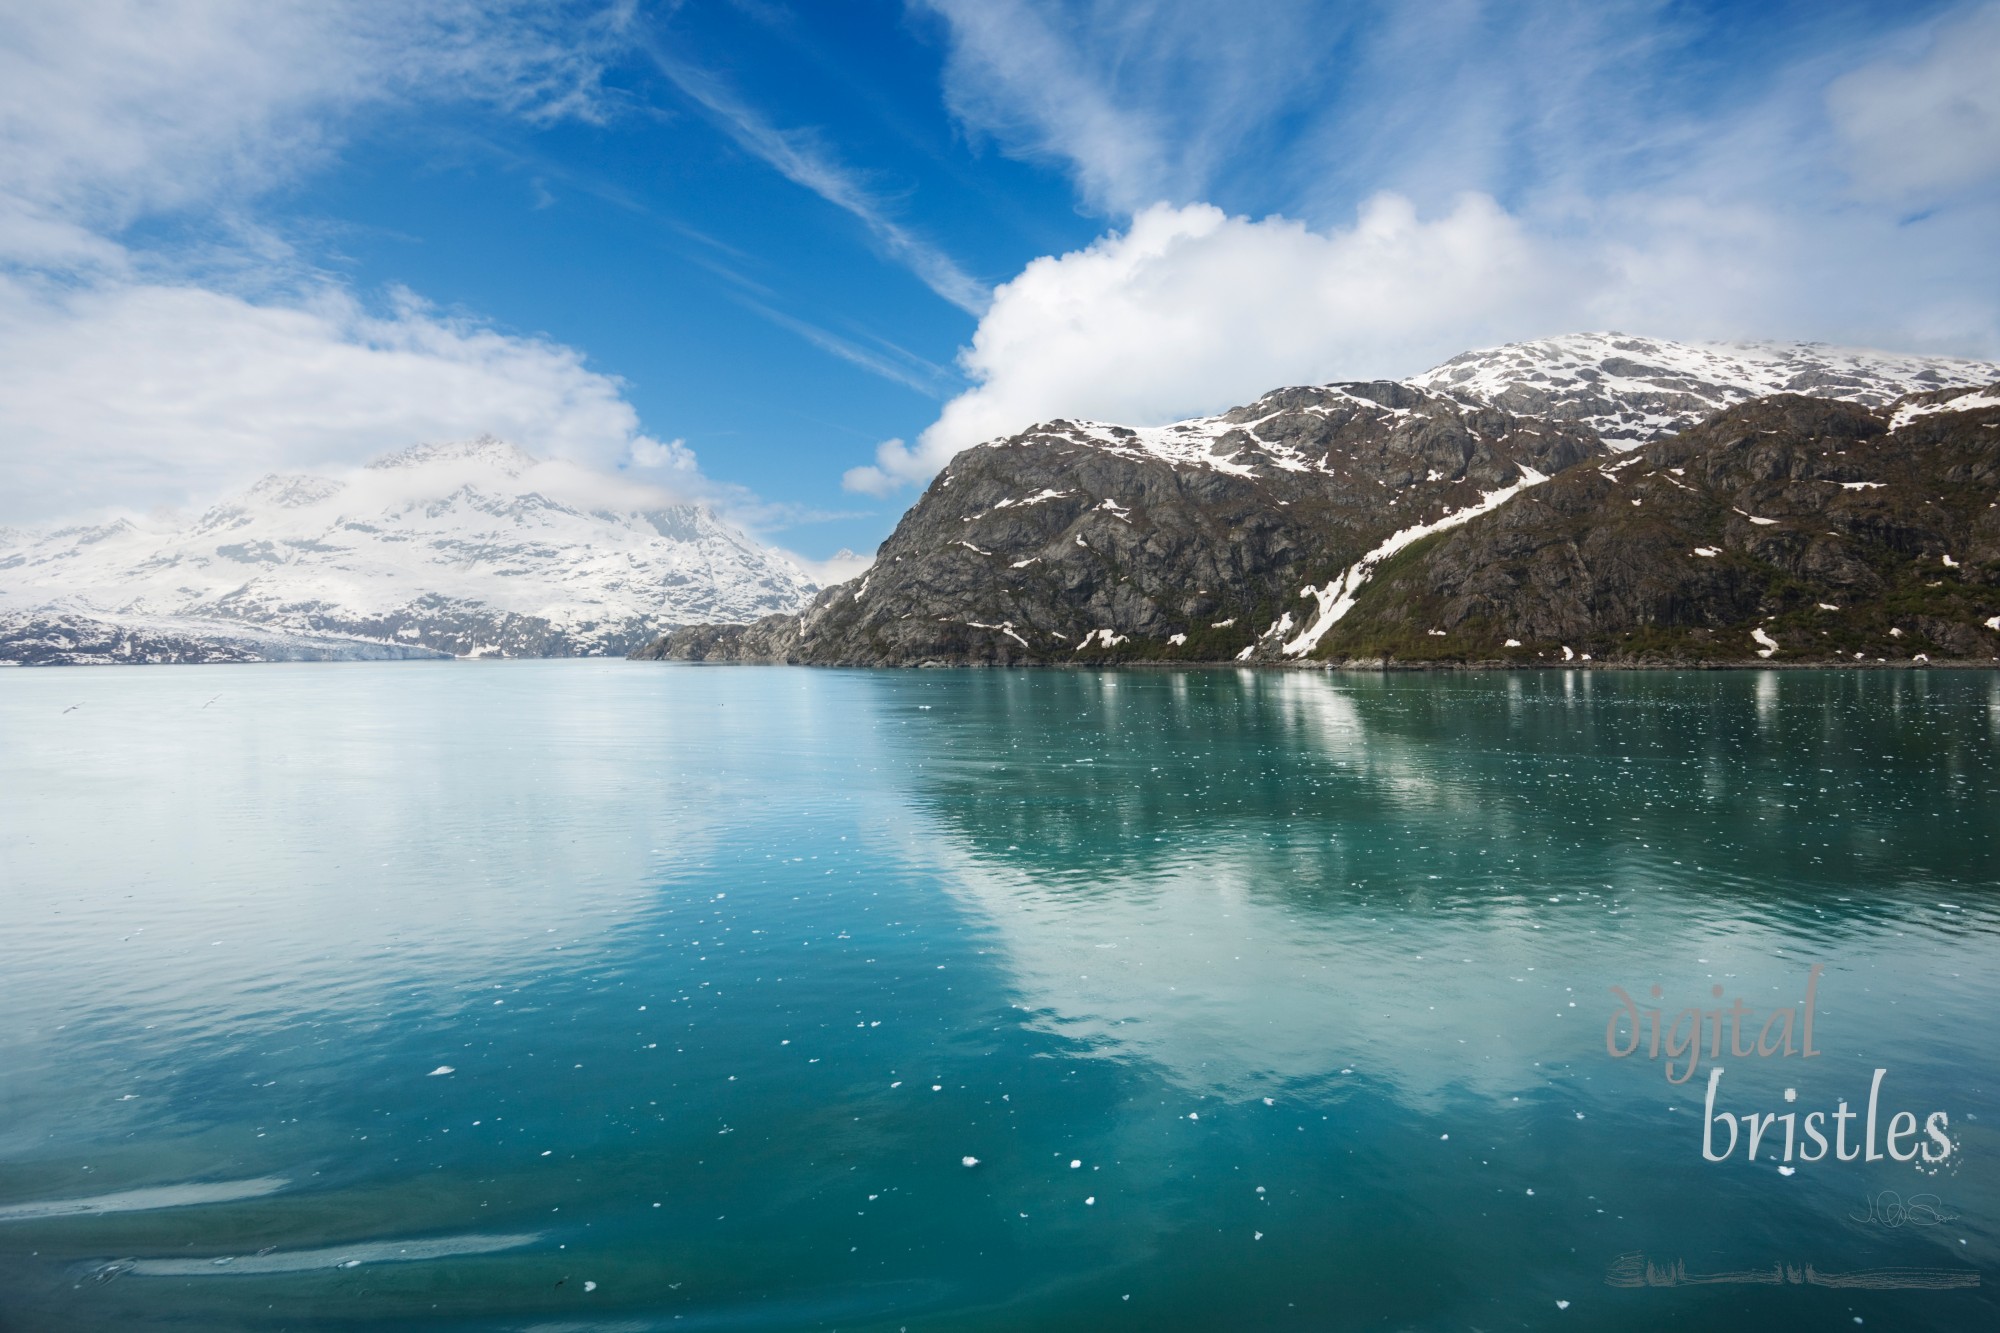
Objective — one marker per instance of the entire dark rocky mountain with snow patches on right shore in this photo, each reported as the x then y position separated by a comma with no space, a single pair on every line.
1307,527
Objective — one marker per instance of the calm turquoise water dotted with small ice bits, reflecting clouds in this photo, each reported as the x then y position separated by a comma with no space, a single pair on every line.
623,996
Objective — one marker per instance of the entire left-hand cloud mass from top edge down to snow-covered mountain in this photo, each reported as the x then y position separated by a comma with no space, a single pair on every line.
145,373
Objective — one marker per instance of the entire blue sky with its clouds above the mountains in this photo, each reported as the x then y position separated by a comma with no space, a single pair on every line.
789,257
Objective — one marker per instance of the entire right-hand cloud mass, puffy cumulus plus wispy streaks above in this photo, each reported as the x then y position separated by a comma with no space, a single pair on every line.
1849,199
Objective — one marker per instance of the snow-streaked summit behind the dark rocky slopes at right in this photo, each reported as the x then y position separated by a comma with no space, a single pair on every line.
1633,391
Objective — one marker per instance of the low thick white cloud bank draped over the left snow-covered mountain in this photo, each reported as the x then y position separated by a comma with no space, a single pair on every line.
161,395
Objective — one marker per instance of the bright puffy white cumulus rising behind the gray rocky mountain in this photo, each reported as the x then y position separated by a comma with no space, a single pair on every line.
1191,309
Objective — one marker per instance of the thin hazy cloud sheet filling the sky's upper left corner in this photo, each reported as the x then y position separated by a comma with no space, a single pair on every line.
121,109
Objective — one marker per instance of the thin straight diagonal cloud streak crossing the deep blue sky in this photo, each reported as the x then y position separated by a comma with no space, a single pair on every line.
803,159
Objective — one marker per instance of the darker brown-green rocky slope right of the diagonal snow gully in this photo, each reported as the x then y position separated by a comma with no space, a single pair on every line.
1781,531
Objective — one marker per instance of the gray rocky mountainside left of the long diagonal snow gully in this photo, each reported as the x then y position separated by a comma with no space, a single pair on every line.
1091,543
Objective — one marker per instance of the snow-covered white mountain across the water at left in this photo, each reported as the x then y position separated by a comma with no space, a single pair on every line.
471,549
